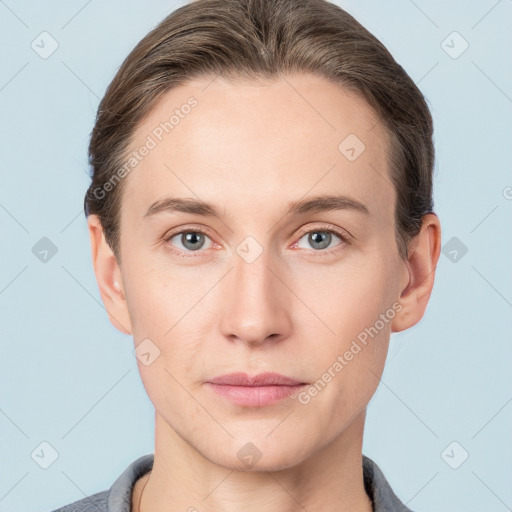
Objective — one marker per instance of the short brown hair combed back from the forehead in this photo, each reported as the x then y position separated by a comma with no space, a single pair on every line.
265,39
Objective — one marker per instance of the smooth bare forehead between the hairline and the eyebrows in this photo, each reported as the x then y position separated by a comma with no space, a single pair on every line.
245,142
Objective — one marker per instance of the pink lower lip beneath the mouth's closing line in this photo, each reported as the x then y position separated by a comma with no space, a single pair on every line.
255,396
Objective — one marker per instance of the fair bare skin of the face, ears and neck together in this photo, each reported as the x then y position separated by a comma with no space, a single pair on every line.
250,149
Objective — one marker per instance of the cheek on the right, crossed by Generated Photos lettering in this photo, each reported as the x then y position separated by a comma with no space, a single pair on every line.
350,354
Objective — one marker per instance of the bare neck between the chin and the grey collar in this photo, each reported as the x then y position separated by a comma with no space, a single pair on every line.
182,478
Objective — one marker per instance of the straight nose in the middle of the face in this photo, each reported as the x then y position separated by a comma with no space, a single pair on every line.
256,307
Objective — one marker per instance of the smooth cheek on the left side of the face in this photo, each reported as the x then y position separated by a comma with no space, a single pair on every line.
162,310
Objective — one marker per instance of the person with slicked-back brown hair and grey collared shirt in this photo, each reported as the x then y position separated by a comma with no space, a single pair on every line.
261,221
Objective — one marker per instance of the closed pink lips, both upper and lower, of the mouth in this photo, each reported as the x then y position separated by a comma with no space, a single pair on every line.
256,391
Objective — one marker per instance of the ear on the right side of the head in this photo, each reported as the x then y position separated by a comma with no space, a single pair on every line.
419,272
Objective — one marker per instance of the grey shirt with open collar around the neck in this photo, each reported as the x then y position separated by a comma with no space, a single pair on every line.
118,497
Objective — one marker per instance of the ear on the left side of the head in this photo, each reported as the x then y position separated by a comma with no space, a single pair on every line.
108,276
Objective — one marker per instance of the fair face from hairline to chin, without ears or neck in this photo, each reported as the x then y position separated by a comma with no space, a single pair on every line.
266,277
